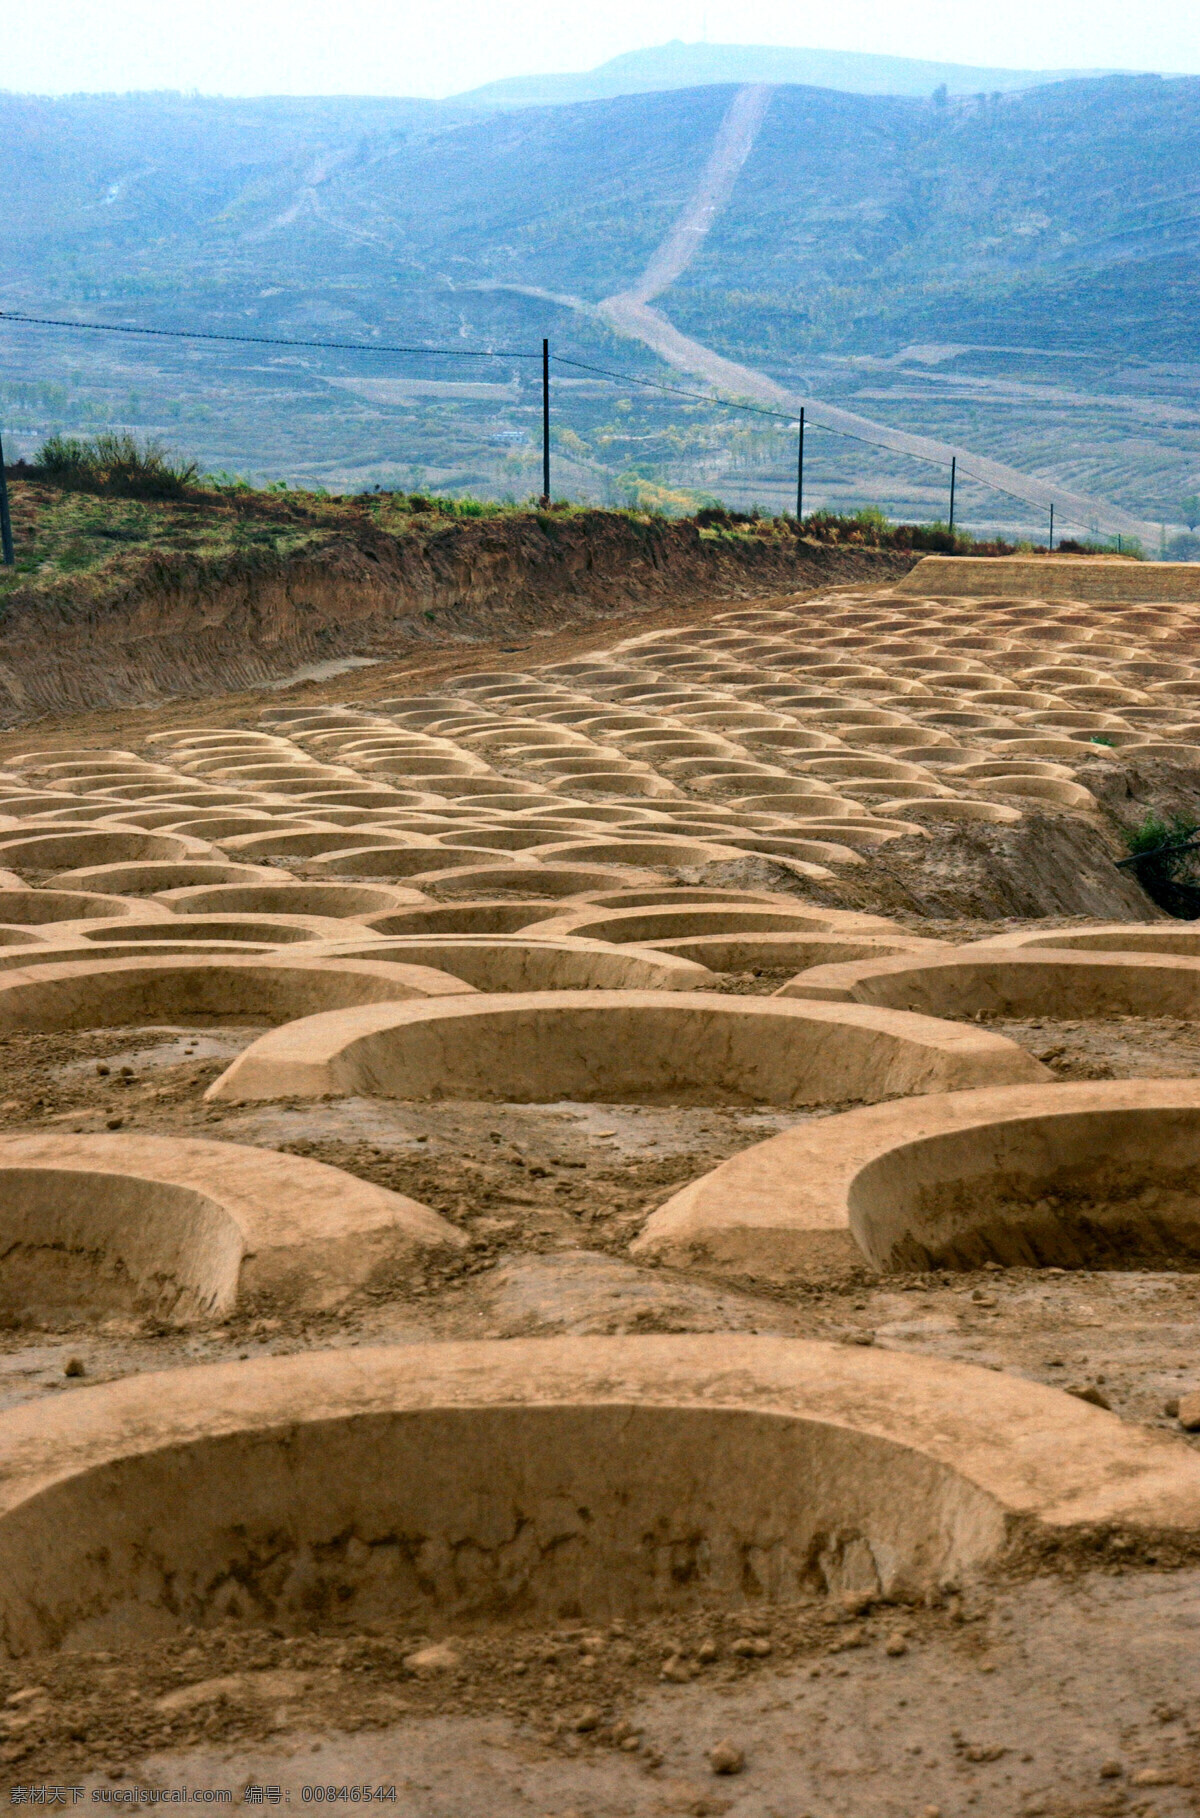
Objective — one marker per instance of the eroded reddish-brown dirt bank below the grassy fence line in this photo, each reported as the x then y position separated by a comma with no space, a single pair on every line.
192,624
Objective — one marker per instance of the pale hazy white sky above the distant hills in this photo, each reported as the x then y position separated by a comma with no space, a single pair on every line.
443,46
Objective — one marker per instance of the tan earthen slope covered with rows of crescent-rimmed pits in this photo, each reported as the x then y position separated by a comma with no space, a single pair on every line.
572,1235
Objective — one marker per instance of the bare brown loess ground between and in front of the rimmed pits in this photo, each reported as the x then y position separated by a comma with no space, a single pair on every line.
1066,1692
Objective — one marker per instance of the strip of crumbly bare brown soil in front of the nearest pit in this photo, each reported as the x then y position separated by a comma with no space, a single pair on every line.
899,1710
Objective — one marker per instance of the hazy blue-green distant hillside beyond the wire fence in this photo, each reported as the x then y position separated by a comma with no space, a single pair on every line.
1010,275
